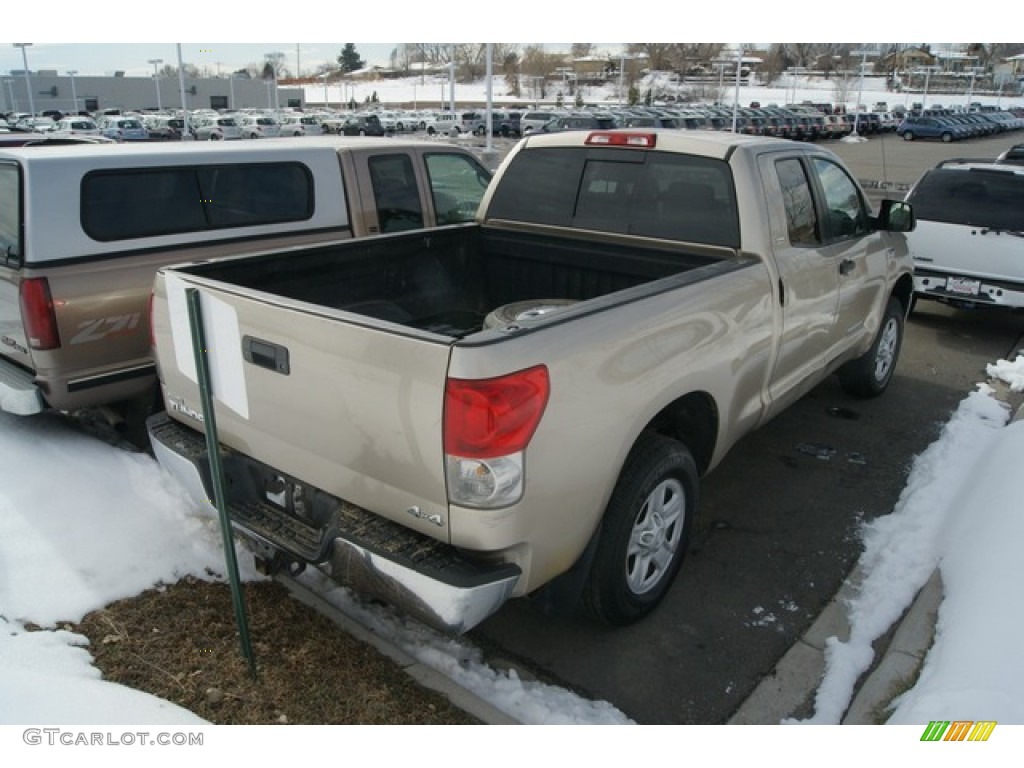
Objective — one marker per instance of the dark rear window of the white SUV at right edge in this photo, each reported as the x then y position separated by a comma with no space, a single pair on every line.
977,198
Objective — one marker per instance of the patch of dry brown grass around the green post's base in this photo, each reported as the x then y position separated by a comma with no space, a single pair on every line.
181,644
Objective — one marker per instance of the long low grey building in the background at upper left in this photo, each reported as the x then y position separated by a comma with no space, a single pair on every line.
71,94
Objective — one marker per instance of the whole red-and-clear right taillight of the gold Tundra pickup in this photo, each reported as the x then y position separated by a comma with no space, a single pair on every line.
488,425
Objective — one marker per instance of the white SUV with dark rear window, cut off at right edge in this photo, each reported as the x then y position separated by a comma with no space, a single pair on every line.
970,236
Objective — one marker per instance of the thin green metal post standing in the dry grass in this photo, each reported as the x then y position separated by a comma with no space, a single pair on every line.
218,473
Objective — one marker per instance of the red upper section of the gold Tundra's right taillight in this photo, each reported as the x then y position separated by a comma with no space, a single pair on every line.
488,418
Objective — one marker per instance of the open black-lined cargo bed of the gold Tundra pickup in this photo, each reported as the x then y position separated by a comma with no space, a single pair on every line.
447,282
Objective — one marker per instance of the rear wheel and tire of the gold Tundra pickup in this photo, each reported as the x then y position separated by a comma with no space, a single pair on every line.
645,533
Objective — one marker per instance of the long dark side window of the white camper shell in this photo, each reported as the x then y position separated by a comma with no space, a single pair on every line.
141,203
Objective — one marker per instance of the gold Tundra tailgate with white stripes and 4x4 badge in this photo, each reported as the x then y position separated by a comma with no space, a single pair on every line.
355,414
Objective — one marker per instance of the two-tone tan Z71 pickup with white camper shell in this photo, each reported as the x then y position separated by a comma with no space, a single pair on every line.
84,229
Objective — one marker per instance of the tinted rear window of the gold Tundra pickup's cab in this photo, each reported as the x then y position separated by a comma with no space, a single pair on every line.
633,192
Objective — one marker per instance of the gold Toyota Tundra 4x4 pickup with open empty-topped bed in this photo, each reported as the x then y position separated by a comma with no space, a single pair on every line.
524,406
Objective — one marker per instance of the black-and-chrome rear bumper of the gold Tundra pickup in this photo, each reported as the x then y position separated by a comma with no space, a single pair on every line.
375,558
